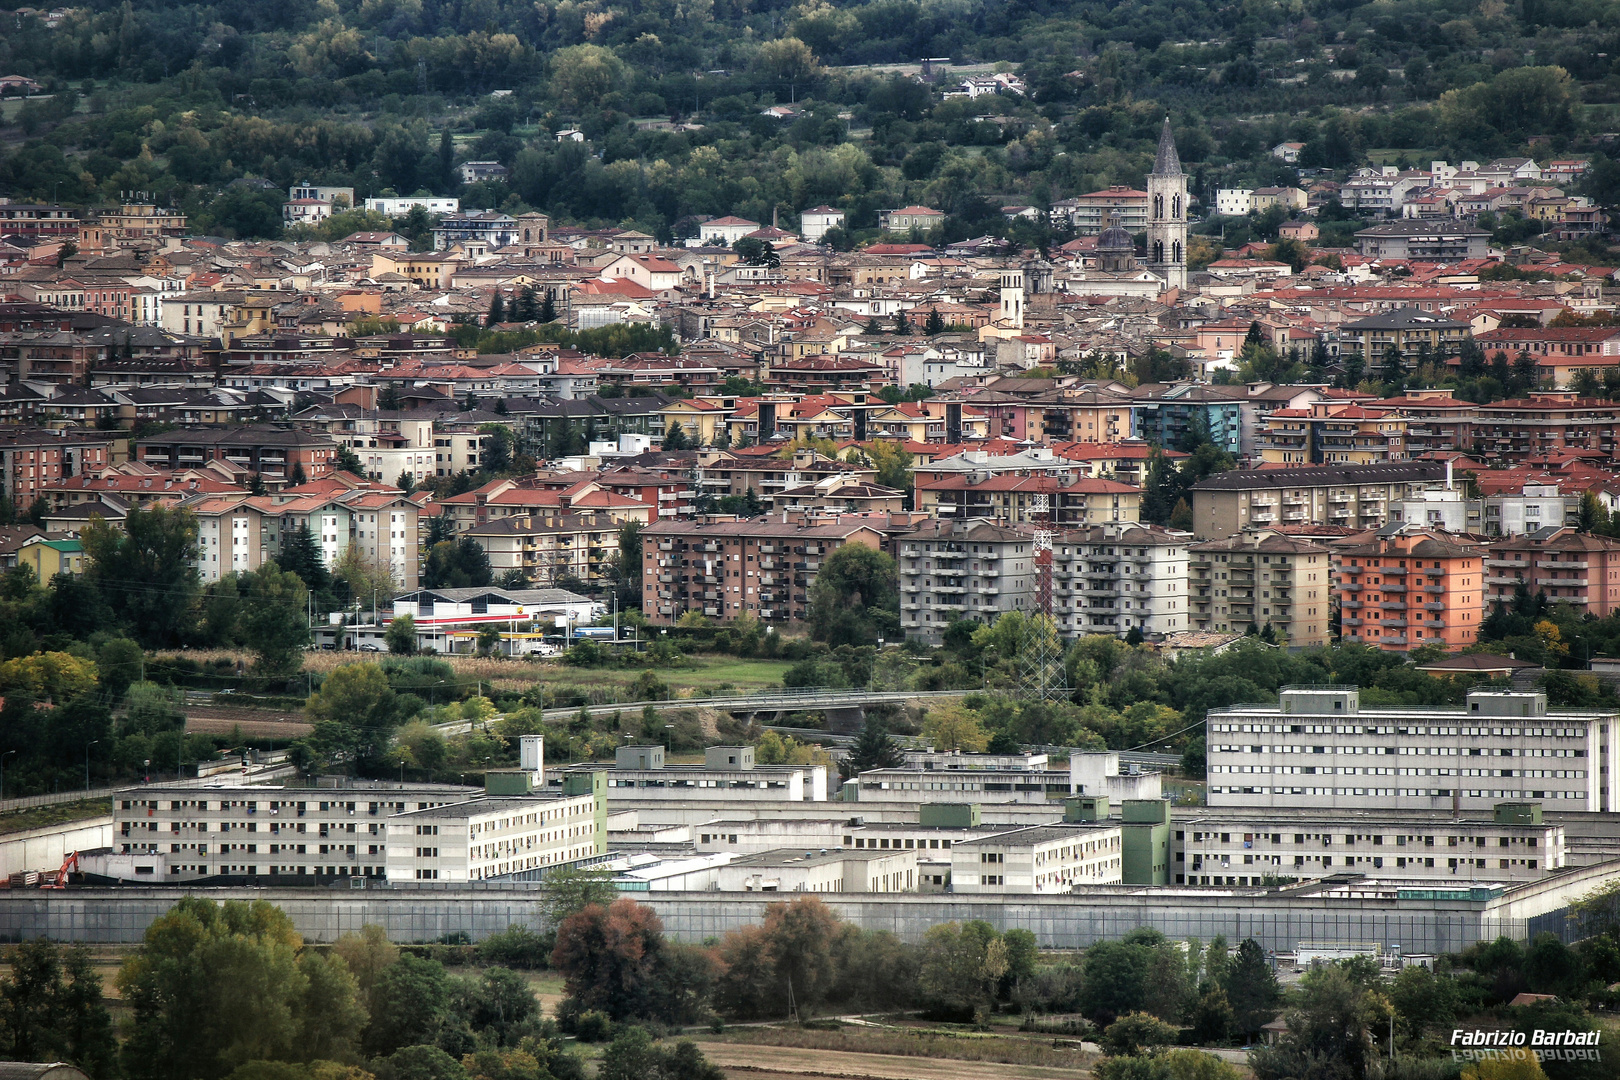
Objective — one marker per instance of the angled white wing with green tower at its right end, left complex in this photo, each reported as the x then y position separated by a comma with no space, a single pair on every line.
501,838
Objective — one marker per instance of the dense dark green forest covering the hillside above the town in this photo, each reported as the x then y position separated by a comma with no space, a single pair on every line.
218,108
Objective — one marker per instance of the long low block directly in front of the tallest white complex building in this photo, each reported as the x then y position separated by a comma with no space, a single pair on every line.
1511,846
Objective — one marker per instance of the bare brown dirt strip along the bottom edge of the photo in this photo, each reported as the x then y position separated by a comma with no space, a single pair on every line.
769,1063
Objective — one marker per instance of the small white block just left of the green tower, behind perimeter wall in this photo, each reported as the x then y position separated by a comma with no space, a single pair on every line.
1039,861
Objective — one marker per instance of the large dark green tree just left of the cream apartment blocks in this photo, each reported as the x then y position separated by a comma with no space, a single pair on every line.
147,572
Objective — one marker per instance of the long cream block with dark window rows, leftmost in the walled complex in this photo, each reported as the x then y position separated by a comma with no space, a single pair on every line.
181,835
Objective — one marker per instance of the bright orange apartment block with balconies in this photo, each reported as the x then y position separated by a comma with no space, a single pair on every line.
1410,589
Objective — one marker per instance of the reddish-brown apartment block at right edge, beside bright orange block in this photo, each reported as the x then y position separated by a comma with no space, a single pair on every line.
1562,564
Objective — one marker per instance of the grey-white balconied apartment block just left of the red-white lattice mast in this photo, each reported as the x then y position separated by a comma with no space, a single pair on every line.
963,569
